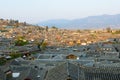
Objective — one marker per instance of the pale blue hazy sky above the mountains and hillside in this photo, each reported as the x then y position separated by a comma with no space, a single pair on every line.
33,11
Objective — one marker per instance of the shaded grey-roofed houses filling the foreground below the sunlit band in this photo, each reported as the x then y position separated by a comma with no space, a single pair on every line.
96,61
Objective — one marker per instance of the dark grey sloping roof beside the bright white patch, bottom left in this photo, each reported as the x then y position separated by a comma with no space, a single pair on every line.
28,72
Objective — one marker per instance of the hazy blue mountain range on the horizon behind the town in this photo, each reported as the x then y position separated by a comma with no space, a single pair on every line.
91,22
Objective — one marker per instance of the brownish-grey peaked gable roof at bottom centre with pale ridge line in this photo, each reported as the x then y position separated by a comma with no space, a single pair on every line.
62,72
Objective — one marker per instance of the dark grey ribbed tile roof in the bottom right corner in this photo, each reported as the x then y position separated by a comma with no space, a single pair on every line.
108,73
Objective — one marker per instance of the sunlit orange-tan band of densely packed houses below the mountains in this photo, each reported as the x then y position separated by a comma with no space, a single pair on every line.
54,36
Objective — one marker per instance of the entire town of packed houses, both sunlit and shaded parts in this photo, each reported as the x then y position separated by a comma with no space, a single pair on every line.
70,54
